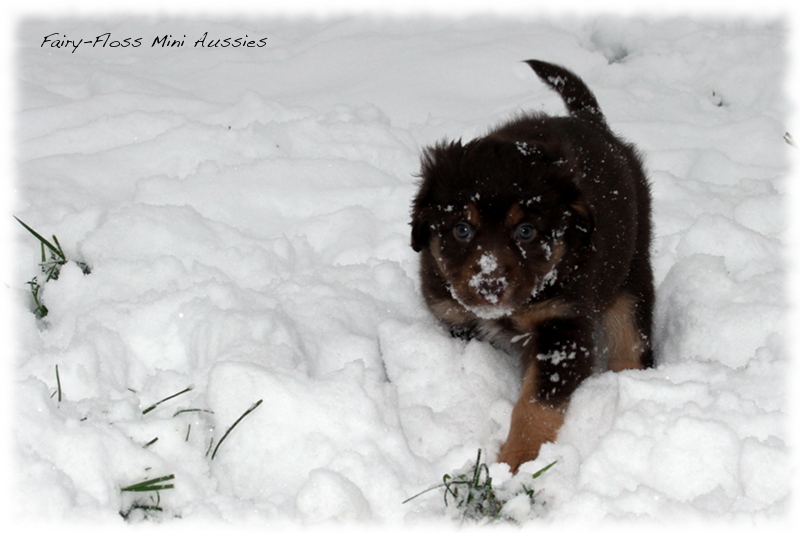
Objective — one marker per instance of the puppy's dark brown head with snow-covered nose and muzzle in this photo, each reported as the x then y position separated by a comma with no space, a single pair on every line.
498,222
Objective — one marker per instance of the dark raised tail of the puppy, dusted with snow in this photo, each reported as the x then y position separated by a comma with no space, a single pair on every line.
579,100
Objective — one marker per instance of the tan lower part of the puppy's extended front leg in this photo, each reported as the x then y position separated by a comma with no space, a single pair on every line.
532,424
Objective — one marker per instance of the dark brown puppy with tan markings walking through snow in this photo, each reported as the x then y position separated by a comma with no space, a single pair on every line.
536,238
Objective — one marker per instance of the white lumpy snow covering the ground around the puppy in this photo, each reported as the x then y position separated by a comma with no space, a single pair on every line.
245,216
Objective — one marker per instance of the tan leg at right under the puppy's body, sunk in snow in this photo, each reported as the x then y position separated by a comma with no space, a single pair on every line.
625,343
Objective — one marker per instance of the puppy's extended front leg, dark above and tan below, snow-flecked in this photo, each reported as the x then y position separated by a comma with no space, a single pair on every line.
556,363
